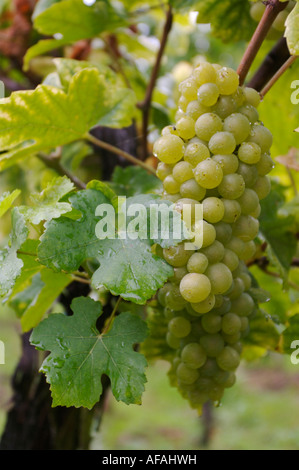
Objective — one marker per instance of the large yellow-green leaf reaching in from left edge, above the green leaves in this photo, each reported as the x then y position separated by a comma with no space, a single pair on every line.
47,117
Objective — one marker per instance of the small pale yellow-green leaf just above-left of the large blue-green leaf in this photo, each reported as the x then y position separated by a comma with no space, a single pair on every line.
46,206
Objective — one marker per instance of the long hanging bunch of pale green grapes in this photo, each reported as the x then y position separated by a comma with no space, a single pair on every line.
216,155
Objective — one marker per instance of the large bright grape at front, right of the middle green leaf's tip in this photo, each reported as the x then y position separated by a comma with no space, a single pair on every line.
195,287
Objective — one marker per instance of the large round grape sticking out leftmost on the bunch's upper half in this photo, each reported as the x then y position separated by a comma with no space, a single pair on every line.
169,148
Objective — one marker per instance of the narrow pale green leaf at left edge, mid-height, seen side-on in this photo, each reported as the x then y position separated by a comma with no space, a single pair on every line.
10,264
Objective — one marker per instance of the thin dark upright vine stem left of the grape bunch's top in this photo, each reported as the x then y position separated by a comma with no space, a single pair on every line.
145,105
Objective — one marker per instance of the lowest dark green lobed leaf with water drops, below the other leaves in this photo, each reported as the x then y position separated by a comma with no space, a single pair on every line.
80,355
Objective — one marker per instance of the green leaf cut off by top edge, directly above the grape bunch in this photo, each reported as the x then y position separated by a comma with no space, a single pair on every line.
230,19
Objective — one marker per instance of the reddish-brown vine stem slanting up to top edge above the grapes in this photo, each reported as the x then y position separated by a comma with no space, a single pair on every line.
271,12
